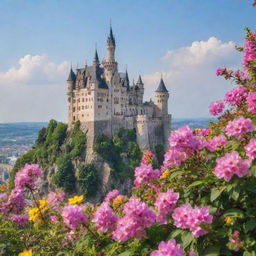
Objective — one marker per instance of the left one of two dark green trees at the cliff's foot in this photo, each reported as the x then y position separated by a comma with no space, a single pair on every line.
65,176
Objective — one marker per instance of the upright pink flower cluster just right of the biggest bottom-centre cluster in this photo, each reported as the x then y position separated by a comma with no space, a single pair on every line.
165,203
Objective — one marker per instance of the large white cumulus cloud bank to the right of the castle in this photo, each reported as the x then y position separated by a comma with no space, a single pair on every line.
189,74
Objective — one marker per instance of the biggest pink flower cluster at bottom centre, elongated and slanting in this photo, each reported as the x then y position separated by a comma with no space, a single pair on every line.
137,216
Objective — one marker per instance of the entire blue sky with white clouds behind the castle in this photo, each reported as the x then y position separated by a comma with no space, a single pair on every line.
184,40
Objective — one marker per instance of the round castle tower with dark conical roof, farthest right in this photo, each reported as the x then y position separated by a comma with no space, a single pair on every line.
162,96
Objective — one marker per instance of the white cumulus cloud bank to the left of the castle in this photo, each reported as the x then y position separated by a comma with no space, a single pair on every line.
34,90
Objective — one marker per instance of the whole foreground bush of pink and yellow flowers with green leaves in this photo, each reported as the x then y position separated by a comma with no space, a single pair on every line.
200,202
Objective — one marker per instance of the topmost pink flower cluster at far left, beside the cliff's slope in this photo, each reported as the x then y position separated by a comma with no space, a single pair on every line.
28,176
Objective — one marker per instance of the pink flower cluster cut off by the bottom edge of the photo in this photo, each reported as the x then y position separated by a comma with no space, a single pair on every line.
169,248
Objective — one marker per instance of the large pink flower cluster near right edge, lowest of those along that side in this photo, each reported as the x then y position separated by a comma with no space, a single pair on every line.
231,164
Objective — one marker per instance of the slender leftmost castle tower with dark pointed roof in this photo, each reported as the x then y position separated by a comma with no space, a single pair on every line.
71,83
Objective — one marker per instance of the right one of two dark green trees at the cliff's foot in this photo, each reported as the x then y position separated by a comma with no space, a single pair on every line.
88,179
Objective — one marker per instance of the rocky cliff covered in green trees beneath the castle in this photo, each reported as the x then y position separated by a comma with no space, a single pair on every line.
63,155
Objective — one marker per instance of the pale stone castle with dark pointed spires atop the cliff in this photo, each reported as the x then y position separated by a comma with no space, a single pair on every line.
103,99
